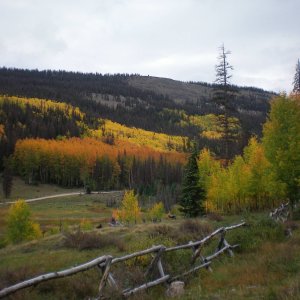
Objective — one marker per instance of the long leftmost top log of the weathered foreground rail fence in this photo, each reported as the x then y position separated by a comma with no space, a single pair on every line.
49,276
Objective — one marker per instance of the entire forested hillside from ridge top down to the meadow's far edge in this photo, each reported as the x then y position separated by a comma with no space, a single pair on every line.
117,131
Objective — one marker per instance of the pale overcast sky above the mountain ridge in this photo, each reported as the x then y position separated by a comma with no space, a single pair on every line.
177,39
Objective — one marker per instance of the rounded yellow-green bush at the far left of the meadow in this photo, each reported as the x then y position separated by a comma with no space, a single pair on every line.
19,225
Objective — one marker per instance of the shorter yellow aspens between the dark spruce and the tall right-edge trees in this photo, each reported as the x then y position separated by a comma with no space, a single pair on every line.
247,183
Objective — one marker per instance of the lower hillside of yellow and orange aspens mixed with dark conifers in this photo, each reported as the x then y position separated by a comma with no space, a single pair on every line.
53,142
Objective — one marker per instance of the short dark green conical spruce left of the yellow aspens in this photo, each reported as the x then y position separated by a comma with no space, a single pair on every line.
193,193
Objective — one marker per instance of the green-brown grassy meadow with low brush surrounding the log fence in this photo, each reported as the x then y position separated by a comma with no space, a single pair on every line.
265,266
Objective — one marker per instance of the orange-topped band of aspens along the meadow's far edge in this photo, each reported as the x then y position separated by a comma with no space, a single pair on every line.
96,165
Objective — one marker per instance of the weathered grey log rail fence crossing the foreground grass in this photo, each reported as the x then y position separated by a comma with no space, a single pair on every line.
104,263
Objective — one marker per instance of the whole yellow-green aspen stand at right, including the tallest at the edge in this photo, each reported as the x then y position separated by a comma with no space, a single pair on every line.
267,173
